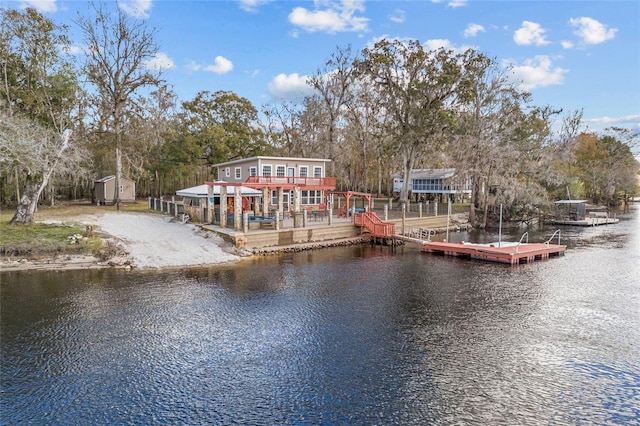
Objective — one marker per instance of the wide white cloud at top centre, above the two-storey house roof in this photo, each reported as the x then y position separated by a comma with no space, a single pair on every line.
336,17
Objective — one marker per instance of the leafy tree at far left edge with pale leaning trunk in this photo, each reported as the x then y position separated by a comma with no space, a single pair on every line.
39,91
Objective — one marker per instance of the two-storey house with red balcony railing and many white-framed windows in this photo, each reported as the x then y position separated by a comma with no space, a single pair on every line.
290,183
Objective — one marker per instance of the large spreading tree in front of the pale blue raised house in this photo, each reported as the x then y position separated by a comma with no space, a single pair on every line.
419,90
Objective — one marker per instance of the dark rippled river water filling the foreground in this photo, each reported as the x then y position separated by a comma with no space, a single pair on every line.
355,335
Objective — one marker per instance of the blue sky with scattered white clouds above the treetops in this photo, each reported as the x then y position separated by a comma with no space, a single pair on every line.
574,55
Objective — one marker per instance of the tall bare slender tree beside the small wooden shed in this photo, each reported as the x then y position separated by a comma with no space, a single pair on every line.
117,50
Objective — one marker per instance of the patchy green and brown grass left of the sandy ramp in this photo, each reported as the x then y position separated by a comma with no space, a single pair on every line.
39,240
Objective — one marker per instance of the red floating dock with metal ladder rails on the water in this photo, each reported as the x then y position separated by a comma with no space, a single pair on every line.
511,253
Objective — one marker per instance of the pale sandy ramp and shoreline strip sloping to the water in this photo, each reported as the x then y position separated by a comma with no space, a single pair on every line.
145,241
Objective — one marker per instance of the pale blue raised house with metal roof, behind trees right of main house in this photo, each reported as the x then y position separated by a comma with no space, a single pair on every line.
434,183
